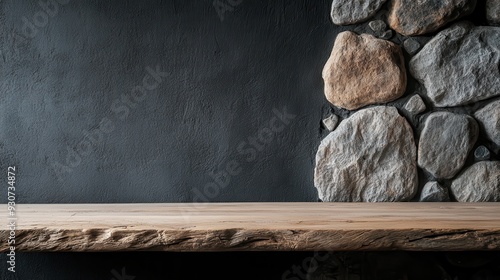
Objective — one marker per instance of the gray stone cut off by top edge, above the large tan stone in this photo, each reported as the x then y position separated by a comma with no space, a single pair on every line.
345,12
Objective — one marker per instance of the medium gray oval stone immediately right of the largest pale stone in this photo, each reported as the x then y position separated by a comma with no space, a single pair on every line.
445,142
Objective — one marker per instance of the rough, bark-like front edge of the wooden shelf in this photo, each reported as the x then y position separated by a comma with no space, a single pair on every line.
101,240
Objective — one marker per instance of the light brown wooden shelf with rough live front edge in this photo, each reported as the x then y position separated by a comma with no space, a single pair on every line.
255,227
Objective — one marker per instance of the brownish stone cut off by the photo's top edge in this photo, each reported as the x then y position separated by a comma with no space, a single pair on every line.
411,17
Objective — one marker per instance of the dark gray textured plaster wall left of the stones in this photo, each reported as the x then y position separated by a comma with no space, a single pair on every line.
78,129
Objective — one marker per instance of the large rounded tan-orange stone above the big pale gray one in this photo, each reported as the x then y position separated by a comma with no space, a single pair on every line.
363,70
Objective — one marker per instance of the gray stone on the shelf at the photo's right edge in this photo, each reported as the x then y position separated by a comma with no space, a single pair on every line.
478,183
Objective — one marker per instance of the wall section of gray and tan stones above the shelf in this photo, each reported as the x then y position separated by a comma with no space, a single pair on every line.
415,102
